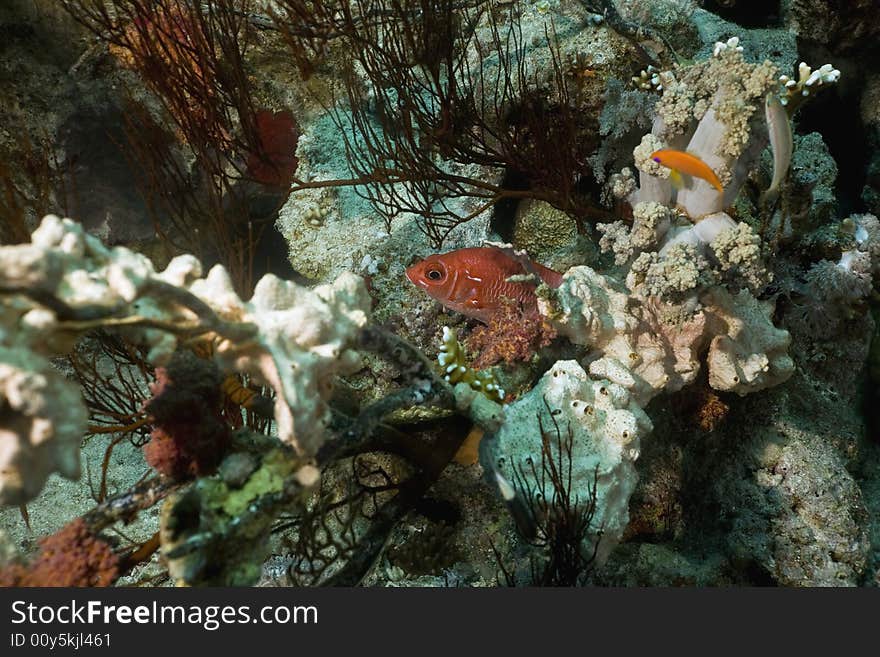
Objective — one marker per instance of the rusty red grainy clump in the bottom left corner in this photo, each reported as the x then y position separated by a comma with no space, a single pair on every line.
72,556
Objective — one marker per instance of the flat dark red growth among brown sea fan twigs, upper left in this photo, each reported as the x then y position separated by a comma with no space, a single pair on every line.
275,163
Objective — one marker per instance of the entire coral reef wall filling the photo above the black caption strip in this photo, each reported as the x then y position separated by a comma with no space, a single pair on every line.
687,404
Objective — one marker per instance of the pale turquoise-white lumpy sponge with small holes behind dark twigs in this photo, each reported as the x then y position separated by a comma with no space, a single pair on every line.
607,427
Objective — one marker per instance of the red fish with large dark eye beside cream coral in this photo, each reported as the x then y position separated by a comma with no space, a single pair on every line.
474,281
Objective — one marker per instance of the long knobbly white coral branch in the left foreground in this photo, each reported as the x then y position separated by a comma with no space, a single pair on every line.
66,282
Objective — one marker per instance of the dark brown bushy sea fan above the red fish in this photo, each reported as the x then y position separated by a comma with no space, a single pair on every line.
433,112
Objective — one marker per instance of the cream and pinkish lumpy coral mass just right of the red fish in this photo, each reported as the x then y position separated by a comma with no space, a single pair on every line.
643,345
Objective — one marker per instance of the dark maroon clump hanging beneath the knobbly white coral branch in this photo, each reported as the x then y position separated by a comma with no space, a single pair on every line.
189,437
